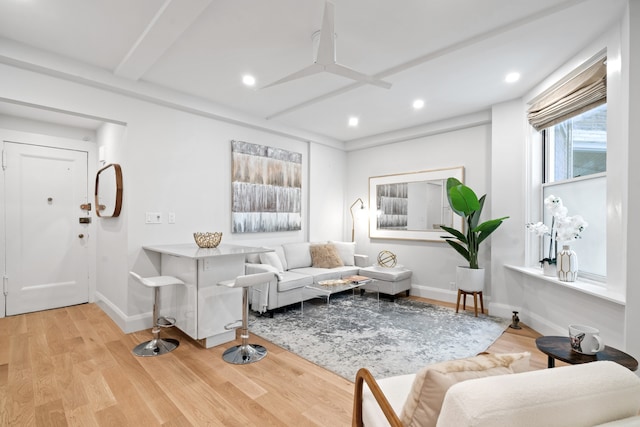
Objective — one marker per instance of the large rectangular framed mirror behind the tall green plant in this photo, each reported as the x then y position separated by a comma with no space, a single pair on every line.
412,206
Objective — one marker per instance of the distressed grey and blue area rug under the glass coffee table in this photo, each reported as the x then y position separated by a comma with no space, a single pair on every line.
388,337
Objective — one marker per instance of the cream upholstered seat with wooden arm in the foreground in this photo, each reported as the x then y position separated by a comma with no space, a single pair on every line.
598,393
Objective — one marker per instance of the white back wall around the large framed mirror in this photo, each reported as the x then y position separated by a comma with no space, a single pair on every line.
433,263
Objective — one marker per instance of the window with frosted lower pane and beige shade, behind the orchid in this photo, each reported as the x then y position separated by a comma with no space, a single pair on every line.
572,118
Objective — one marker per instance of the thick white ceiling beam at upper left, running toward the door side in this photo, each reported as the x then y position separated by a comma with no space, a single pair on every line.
171,20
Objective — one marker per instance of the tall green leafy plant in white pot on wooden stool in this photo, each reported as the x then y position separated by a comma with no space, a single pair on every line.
465,203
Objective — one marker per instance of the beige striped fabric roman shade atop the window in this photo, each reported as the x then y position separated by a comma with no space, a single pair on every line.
580,93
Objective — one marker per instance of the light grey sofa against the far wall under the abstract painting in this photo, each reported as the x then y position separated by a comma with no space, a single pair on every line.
295,268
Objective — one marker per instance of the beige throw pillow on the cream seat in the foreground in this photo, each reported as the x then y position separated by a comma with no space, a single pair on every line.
424,401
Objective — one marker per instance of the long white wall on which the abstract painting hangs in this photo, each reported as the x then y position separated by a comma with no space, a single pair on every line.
175,161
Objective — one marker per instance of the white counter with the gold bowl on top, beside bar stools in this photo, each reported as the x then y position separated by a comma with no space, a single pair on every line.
201,307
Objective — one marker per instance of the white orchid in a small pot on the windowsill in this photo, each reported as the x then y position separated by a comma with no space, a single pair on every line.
563,227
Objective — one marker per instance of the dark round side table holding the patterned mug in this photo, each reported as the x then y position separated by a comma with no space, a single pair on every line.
560,348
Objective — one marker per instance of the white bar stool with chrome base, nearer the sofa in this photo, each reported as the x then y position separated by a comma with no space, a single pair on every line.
245,353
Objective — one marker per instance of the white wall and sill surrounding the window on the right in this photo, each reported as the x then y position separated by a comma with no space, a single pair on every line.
549,307
